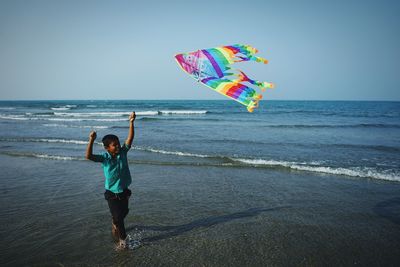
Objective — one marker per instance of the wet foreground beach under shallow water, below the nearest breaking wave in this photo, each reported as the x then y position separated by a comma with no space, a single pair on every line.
198,217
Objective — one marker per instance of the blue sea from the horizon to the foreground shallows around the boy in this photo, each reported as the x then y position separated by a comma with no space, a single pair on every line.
295,183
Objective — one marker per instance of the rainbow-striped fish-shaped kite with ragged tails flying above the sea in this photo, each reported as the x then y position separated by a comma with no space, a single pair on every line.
211,66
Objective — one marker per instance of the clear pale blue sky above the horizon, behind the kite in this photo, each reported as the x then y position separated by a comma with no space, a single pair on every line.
318,50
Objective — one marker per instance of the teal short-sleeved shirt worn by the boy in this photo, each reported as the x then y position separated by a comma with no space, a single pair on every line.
116,170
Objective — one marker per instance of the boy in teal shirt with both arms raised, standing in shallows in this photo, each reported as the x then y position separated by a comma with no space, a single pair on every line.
117,177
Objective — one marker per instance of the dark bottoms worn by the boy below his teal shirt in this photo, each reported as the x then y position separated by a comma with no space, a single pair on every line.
118,204
